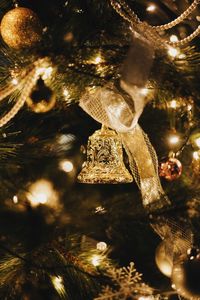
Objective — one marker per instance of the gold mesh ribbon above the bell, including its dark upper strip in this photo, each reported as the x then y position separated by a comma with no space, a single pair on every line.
110,108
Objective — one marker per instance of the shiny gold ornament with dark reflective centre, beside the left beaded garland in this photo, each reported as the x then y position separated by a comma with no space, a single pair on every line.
42,98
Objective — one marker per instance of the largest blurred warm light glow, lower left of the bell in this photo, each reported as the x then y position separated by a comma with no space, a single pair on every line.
41,192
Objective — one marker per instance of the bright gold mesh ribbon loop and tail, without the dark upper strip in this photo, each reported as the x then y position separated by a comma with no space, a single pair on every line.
110,108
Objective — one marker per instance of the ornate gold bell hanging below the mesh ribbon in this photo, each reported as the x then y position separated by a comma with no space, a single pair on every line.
104,159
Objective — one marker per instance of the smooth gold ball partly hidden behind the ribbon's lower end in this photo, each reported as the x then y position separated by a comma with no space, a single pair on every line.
163,260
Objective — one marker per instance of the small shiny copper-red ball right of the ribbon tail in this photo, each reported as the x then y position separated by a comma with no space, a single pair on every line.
170,169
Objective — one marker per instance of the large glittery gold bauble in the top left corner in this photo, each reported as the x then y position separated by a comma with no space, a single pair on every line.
21,28
